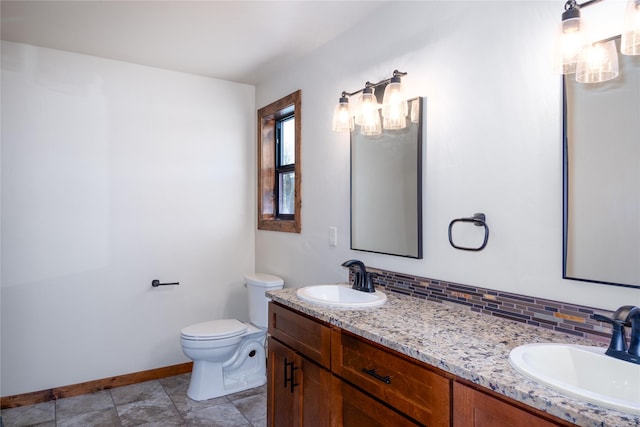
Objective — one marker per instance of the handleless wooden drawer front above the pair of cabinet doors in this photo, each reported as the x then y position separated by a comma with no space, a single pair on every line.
301,333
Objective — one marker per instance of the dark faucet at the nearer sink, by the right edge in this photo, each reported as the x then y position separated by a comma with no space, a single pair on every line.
625,316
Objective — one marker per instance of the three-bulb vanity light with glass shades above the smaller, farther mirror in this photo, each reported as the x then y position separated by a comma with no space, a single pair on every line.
367,114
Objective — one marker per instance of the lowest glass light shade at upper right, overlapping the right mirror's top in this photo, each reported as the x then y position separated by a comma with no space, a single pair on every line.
598,63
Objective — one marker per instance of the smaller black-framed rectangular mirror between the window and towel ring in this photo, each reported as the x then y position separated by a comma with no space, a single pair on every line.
386,188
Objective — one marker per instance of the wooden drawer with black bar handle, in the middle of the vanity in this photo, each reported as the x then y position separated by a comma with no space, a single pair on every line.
408,386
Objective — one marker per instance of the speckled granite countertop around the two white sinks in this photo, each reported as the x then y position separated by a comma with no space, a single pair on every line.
470,345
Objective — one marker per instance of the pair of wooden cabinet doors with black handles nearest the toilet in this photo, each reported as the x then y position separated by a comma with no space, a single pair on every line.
298,389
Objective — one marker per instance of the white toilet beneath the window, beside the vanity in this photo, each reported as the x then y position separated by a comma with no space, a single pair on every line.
229,355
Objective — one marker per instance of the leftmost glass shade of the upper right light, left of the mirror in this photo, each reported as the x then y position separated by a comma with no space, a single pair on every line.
571,37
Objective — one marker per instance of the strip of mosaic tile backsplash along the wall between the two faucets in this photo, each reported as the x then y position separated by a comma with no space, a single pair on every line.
568,318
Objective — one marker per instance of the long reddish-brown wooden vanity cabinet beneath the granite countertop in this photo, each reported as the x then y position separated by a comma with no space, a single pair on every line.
322,376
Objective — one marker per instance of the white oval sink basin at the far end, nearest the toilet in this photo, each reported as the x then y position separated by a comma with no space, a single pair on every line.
340,295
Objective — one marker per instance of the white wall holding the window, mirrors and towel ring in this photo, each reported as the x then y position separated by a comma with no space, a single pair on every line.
493,145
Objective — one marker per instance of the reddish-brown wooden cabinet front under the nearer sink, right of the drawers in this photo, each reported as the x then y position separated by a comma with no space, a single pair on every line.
472,408
